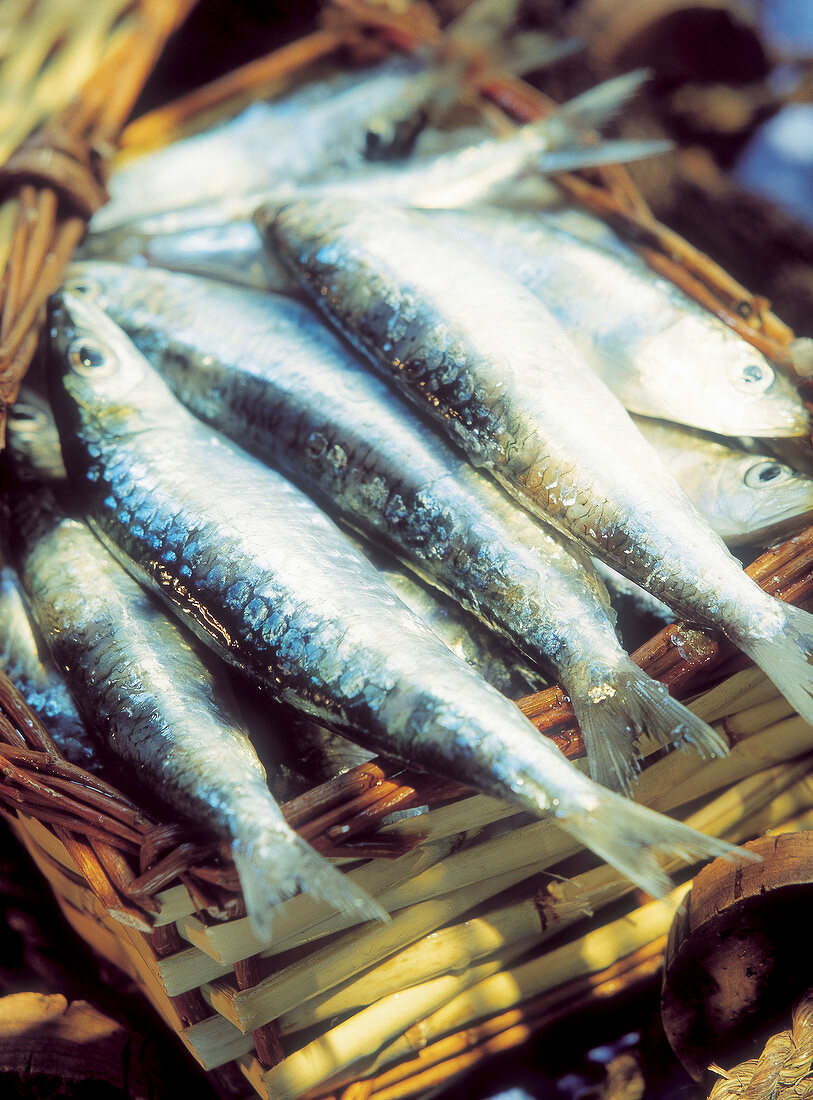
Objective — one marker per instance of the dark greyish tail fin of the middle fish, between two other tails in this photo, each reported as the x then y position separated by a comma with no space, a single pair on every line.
624,703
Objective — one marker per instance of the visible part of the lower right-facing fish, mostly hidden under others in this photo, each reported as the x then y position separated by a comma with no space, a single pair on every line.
744,498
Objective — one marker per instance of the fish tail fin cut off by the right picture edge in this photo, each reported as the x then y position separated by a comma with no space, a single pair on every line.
786,655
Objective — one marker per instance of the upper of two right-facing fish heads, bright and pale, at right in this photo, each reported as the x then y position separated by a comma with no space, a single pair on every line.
711,379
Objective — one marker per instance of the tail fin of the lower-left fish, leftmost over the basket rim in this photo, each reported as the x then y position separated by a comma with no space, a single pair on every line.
277,864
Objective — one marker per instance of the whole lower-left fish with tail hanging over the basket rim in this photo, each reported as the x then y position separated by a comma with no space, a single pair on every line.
139,685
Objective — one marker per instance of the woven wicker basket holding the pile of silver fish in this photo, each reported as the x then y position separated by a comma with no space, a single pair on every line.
414,1006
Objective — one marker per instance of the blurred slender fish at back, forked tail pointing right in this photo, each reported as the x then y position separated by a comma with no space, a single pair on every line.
449,180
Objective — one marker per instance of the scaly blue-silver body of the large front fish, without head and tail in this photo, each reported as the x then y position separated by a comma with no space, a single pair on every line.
294,606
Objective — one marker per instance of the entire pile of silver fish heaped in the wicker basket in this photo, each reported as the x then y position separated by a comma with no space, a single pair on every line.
278,373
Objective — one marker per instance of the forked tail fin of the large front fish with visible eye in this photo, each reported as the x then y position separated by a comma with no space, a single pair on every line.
636,841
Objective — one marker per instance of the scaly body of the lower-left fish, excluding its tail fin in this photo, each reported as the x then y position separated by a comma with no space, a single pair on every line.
137,680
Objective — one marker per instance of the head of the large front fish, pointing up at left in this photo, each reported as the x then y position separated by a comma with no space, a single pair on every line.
100,382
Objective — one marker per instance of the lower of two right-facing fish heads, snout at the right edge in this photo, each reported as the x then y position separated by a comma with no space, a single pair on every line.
757,498
